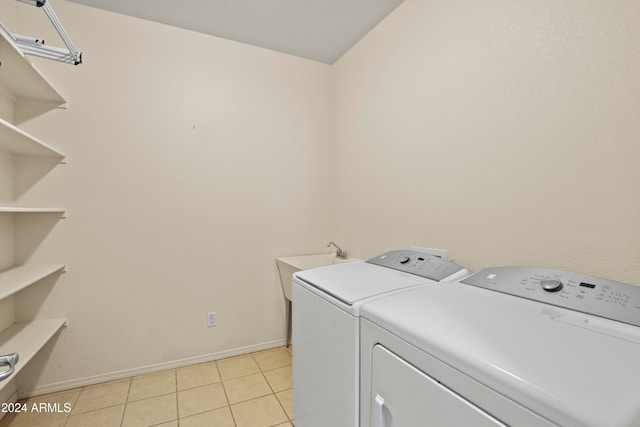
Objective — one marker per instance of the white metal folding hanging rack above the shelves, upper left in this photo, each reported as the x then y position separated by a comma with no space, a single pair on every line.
36,47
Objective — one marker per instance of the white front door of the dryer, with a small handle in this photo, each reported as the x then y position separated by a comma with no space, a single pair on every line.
406,397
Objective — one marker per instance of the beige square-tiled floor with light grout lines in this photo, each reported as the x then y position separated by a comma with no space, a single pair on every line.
252,390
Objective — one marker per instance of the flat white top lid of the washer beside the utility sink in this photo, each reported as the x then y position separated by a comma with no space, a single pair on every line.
353,282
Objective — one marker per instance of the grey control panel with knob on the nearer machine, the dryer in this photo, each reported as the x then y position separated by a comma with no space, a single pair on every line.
588,294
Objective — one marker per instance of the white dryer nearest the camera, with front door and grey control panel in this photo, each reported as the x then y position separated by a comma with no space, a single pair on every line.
506,346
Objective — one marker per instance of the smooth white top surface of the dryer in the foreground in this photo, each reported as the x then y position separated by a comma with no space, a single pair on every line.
571,368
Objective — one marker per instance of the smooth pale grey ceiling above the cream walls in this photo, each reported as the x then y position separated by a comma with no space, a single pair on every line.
321,30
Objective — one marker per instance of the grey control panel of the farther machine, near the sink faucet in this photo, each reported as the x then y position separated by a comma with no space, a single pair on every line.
417,263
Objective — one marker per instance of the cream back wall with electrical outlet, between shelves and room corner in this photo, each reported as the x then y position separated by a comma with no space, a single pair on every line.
193,162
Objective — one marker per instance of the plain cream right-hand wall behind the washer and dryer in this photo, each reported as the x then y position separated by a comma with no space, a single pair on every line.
506,132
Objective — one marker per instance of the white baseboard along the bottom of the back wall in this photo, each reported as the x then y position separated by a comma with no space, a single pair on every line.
127,373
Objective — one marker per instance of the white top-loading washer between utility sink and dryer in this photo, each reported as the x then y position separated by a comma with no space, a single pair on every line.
326,328
